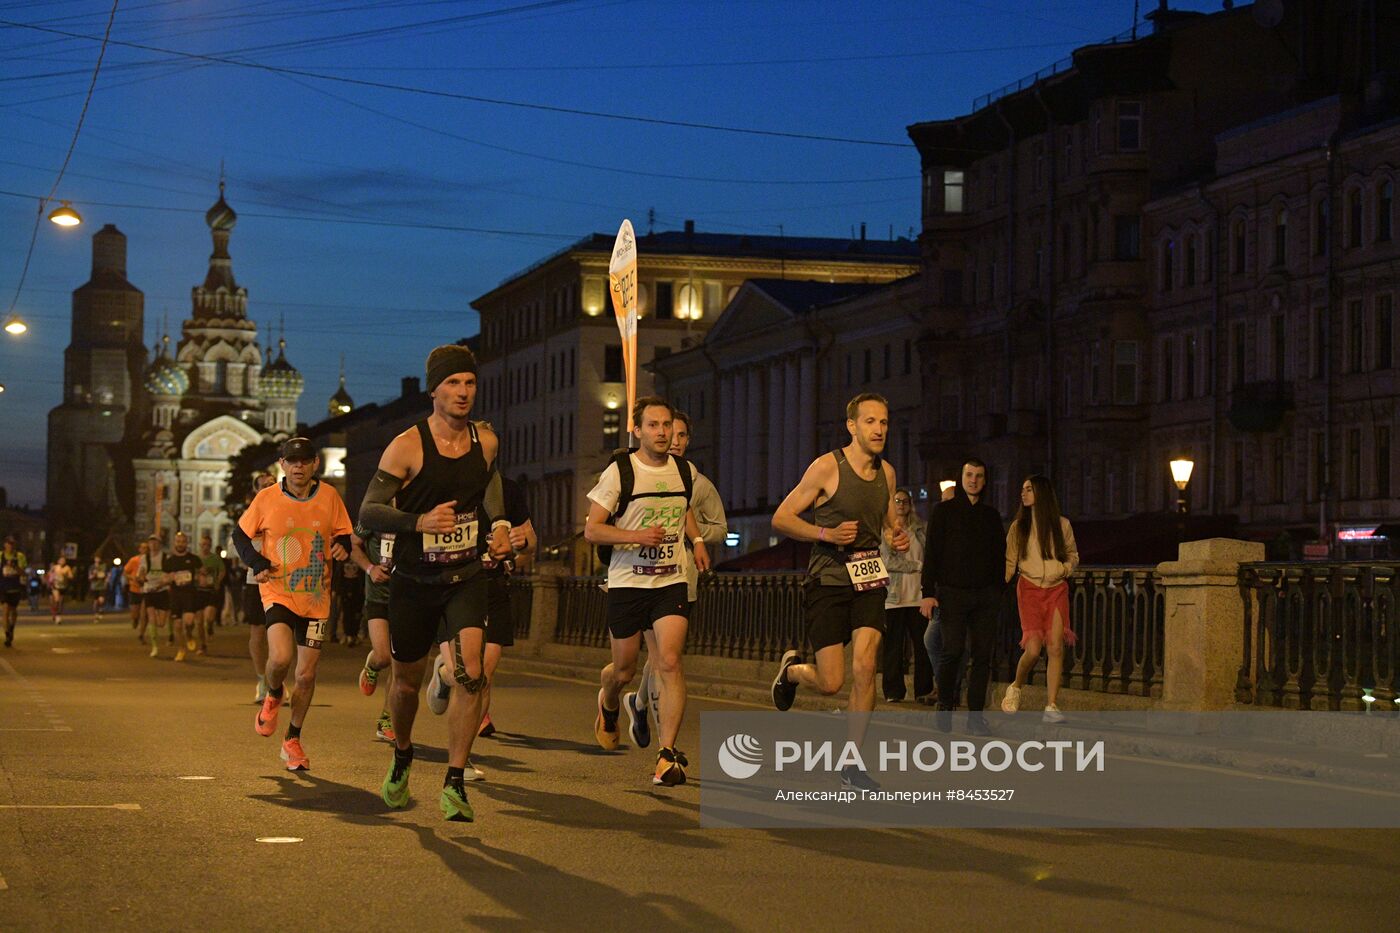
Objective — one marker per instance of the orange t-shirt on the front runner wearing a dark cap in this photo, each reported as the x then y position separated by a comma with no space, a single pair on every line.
296,536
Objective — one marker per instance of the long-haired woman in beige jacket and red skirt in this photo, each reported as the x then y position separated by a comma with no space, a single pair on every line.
1041,548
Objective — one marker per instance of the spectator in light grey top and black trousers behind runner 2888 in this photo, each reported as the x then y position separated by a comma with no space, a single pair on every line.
904,624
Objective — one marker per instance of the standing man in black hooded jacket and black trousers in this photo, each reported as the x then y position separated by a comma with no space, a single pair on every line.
964,565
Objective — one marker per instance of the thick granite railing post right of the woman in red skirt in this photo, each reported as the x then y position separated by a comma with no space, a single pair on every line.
1205,623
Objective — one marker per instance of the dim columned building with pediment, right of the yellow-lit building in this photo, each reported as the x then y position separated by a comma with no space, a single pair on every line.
769,383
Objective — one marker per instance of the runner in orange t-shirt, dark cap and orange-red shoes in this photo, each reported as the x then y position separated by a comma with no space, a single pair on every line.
303,527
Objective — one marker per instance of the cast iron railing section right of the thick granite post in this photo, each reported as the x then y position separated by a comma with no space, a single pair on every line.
1319,635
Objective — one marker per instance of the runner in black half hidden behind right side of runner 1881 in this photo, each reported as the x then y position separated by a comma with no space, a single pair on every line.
500,621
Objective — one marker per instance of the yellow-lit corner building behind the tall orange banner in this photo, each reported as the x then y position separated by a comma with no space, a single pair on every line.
552,375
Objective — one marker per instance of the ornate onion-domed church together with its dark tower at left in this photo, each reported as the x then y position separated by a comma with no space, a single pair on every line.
178,417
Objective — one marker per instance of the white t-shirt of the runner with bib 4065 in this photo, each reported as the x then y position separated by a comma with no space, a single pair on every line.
652,567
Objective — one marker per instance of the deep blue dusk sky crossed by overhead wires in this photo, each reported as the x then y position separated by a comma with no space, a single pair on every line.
370,218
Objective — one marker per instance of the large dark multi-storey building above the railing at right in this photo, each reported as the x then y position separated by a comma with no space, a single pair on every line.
1147,256
